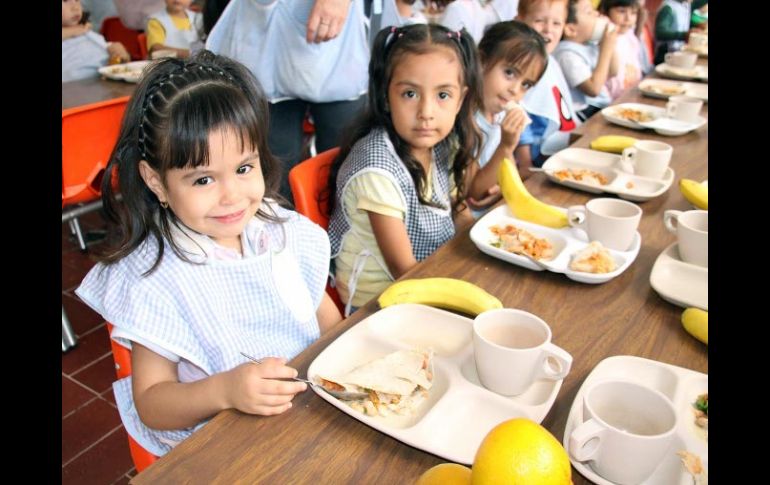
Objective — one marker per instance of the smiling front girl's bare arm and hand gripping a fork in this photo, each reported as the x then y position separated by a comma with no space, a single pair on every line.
165,403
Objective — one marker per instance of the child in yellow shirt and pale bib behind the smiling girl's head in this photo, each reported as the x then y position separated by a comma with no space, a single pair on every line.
174,28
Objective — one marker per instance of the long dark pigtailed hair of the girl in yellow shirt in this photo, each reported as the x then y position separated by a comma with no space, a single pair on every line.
390,45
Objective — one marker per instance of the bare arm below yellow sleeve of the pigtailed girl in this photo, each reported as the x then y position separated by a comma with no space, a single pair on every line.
393,241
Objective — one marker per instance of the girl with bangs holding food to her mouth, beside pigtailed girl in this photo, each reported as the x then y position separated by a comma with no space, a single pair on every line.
513,59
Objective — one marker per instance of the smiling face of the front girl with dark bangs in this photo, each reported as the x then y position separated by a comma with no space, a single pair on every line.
217,200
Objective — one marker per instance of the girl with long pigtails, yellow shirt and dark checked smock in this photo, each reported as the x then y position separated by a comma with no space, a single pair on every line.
392,184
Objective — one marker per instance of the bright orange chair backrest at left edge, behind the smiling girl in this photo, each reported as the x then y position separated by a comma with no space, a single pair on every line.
89,134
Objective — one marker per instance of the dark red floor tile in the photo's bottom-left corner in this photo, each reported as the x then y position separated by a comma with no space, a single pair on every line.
105,463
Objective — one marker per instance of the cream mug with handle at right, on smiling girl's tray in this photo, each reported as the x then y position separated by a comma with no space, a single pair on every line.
512,349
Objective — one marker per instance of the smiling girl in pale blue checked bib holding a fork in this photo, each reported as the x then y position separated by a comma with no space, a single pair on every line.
206,265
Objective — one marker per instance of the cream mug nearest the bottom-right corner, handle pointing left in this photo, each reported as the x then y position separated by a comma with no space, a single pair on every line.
627,431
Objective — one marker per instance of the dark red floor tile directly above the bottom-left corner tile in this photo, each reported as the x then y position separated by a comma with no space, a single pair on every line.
86,426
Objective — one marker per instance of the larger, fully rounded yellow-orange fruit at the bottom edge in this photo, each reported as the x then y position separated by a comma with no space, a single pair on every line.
521,452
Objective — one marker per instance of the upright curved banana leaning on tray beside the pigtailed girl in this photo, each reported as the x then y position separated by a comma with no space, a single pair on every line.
522,204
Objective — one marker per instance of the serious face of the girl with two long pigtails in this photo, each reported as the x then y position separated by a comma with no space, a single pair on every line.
425,94
